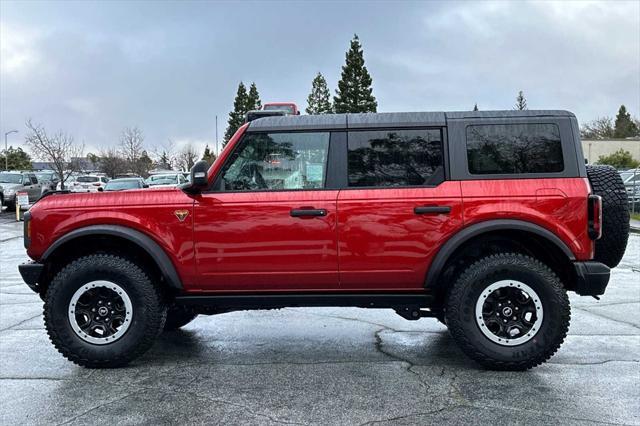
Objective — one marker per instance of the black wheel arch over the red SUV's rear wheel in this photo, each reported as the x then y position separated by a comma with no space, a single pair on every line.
489,228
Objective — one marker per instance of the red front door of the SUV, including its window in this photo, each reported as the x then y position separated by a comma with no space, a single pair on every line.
269,224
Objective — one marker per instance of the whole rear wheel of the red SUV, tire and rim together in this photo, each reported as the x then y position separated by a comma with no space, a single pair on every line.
508,312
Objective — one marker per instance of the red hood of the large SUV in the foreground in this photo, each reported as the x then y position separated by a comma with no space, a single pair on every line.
113,199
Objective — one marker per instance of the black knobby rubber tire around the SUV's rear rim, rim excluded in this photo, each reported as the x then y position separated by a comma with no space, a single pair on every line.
461,317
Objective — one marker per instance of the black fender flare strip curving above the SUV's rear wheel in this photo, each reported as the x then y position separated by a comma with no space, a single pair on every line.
464,235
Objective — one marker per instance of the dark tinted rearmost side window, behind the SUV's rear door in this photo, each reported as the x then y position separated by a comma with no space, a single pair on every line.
514,149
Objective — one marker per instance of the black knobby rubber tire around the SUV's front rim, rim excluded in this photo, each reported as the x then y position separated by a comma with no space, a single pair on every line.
147,322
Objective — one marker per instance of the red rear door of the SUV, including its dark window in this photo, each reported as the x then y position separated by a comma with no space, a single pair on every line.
396,208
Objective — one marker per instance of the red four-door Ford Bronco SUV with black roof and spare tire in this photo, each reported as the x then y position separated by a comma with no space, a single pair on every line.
483,220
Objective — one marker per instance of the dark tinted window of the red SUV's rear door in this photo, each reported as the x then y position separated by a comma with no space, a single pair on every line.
388,158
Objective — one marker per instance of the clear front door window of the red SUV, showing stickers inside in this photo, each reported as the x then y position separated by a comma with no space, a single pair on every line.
278,161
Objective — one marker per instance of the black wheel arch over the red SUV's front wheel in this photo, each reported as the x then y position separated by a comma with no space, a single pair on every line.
132,239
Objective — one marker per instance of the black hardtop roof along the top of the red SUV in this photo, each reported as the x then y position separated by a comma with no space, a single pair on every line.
386,119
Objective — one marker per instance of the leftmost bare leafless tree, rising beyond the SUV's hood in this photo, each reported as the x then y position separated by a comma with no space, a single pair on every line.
59,149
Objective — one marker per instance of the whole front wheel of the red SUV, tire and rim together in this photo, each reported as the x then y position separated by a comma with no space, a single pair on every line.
103,311
